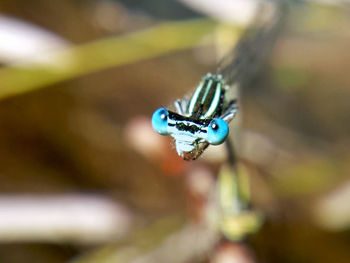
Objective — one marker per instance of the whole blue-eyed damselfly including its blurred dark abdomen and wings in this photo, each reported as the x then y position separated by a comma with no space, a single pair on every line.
203,119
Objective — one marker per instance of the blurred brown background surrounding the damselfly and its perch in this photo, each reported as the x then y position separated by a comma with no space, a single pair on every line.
85,179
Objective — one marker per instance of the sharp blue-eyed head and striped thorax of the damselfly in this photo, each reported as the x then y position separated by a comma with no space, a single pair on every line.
199,121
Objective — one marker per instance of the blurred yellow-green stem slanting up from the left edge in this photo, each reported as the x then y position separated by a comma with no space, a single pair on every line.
67,64
